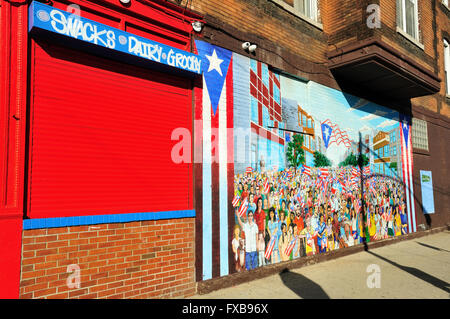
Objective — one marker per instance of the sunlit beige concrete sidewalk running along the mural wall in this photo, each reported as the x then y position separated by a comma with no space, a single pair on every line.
418,268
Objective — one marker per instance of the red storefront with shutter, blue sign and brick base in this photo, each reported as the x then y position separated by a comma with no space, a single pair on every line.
103,88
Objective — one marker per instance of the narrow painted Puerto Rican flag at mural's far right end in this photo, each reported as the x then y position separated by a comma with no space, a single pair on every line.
407,169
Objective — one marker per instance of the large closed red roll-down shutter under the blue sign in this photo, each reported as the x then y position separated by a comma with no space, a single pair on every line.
101,137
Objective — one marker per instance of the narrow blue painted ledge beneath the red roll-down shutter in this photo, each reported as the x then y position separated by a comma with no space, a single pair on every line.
103,219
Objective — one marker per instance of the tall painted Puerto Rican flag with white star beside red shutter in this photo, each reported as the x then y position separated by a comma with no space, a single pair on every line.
214,159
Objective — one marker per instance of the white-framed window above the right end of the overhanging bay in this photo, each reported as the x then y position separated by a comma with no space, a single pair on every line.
408,17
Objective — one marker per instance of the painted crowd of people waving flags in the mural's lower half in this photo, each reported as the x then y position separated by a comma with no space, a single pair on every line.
288,214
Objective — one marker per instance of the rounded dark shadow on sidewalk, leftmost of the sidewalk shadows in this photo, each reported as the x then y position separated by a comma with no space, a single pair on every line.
302,286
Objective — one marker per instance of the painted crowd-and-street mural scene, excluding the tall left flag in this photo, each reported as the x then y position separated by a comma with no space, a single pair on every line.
308,160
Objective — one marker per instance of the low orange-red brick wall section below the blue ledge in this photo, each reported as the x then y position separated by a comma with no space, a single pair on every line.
146,259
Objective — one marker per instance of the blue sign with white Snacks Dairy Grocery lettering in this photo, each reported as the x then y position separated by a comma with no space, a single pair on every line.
45,17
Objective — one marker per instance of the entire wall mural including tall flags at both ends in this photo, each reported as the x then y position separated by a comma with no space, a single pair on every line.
280,175
